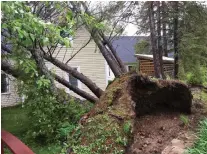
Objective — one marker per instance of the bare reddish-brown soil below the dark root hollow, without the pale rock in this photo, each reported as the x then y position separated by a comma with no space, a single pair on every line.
152,133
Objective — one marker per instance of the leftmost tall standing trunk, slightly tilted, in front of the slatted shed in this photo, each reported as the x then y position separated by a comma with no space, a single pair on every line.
155,52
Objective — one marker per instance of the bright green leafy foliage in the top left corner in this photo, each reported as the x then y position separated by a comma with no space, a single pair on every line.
26,27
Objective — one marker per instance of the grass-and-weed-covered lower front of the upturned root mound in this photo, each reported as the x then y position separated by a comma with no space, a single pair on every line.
101,134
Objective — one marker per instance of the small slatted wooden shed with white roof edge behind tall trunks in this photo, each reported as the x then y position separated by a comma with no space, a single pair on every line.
146,65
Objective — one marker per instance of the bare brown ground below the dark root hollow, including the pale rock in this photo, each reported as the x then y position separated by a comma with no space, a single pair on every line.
155,133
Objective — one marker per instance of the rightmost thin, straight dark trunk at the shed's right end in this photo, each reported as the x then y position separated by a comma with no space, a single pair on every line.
175,35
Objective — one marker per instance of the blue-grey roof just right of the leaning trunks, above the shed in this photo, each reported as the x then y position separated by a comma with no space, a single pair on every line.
124,46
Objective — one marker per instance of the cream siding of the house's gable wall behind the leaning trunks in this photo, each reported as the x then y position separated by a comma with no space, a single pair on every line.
89,60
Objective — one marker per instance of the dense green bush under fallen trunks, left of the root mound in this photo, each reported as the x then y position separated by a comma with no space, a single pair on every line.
53,120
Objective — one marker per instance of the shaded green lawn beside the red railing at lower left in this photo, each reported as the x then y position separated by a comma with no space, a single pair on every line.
15,121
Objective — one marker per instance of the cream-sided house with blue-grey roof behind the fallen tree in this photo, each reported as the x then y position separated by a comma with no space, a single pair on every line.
88,61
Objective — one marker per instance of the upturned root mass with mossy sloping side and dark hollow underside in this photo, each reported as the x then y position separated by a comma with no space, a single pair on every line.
109,126
